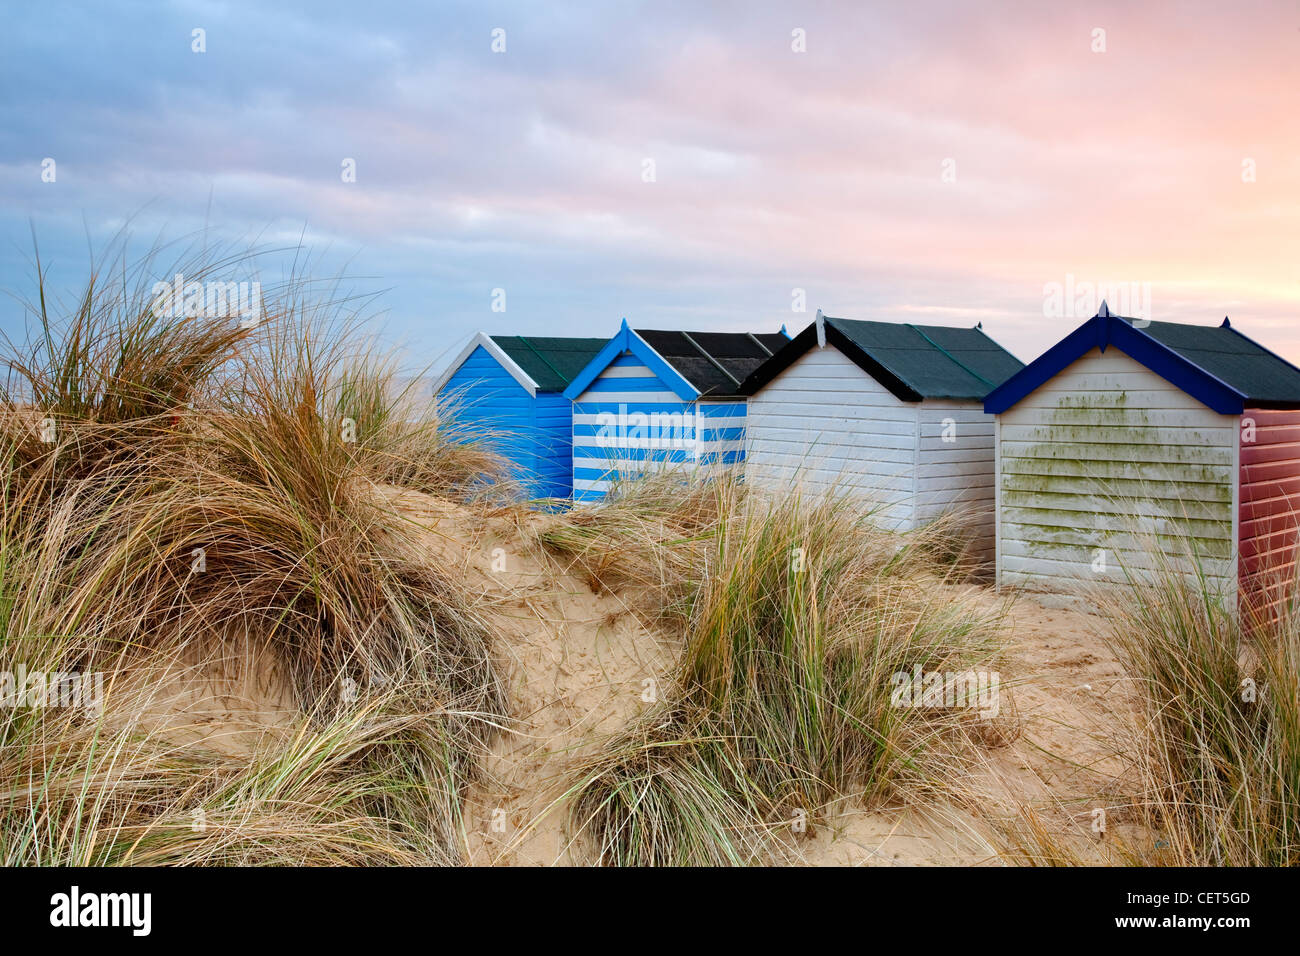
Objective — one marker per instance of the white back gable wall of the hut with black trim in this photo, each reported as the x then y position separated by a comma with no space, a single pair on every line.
826,425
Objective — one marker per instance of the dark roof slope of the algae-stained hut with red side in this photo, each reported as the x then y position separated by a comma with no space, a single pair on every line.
1234,360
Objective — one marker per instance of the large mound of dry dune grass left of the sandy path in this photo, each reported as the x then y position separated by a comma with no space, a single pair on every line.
211,488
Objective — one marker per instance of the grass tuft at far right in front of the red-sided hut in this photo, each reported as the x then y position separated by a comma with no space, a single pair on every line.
1219,750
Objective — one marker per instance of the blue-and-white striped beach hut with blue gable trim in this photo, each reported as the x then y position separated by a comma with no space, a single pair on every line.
656,400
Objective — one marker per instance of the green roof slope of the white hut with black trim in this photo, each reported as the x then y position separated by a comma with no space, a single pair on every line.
934,361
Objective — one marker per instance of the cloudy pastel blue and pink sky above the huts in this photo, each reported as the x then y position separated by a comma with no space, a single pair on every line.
552,168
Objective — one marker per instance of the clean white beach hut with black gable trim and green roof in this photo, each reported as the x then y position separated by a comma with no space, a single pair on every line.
889,412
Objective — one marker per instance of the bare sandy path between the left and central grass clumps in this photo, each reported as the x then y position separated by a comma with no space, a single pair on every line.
578,664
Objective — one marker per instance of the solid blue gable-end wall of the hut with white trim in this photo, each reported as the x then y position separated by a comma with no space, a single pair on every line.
492,408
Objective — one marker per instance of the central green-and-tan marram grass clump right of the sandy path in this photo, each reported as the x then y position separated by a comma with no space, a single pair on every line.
798,615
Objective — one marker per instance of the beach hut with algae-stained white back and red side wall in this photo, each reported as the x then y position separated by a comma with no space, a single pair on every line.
1132,434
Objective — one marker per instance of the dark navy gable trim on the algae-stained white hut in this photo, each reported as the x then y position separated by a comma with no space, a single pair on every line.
1104,331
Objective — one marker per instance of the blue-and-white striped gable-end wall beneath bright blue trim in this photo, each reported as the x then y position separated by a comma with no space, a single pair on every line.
627,423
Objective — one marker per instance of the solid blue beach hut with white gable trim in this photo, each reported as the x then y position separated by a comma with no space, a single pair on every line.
510,390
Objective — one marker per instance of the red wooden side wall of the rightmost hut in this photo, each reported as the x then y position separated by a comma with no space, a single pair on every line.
1271,505
